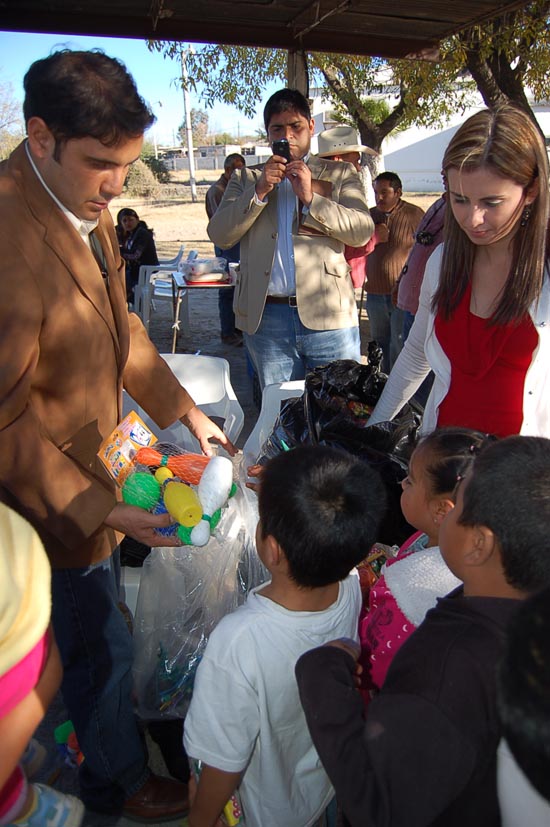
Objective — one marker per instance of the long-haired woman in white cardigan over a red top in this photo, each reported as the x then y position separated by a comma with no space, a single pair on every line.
483,322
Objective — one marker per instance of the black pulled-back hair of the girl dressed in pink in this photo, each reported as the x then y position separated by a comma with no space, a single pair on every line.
451,451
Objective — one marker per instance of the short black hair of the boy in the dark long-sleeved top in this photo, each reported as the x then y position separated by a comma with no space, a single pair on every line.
509,492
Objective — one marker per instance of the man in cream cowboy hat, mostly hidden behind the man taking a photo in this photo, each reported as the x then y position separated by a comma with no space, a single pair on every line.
340,144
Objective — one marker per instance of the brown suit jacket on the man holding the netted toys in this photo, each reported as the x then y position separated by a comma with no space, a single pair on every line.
67,348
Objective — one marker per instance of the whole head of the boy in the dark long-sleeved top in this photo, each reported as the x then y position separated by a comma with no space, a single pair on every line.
499,526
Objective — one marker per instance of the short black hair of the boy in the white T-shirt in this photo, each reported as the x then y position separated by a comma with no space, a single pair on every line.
323,507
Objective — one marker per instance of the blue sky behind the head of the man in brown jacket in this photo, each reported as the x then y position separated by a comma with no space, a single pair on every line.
155,77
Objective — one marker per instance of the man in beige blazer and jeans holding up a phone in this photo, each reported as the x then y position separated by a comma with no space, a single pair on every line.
294,299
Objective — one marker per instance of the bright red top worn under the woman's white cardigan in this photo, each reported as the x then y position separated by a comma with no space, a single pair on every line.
489,364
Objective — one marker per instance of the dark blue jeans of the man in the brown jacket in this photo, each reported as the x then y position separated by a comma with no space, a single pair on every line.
97,654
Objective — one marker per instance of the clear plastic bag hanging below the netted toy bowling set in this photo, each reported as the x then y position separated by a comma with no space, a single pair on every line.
184,592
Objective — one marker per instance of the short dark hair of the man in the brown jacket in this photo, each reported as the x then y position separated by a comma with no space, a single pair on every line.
85,95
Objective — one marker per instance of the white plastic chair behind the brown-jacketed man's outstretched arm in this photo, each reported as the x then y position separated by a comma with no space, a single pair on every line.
207,379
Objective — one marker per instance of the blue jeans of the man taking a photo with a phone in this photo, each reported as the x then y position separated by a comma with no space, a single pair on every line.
283,349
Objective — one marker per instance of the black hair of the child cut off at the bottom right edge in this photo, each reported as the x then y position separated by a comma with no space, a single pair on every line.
524,690
